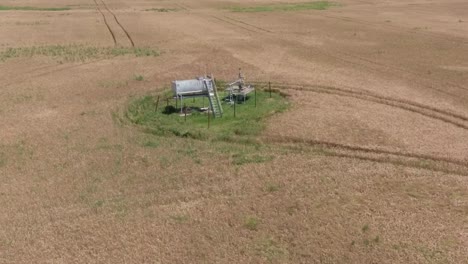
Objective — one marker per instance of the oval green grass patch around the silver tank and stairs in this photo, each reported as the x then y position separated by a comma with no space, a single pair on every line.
168,121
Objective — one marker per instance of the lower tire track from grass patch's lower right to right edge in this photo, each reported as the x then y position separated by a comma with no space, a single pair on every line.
379,155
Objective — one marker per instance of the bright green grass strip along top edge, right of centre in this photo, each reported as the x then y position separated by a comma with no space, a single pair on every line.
316,5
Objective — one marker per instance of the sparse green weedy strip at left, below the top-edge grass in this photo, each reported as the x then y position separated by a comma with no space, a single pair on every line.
74,53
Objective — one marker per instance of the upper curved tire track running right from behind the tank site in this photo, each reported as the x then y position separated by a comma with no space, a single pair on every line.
455,119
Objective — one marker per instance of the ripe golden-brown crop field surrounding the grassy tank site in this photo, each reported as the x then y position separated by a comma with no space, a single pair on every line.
369,165
